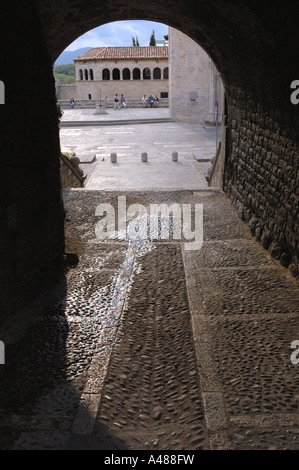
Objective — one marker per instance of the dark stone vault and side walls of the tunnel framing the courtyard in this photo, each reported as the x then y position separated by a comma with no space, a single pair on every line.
253,45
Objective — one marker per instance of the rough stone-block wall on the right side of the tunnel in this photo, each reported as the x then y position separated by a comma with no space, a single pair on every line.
261,177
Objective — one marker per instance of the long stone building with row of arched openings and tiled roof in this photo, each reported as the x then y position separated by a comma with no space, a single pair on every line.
133,71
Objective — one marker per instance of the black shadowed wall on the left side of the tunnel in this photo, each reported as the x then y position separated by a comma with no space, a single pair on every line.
31,212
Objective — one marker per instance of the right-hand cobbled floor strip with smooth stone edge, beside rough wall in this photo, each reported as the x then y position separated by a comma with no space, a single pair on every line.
245,316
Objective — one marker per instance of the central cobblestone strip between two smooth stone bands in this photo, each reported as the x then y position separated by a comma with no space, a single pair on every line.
151,398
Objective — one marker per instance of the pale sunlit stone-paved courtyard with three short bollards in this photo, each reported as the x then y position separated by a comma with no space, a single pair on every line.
159,141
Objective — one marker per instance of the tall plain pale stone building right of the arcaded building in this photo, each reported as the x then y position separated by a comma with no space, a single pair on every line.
195,86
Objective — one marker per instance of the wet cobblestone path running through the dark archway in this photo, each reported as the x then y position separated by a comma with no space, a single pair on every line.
149,346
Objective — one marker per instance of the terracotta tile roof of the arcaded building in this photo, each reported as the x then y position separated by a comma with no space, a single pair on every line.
112,53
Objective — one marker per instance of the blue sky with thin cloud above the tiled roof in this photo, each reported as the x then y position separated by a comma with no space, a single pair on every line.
120,34
